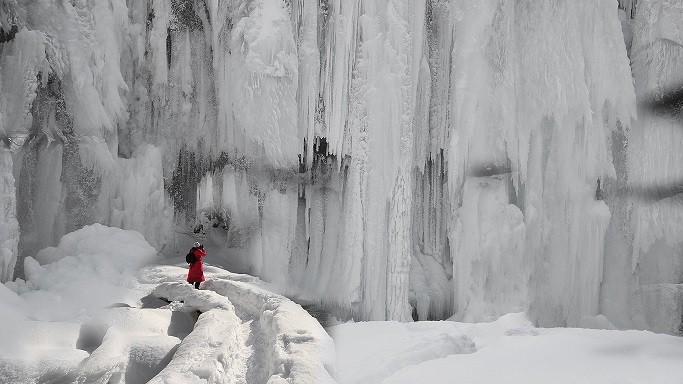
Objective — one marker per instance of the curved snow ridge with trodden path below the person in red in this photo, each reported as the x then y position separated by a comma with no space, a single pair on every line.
245,334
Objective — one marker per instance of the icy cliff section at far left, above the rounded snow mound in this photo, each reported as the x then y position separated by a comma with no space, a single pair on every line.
62,85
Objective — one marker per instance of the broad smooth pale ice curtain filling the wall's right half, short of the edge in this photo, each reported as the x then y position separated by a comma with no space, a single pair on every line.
538,96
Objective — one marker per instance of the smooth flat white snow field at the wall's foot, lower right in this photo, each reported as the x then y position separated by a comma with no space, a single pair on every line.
508,350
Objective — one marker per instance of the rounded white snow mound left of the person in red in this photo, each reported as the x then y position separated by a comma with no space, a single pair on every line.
90,268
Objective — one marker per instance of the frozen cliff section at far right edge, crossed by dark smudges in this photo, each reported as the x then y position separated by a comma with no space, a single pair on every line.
648,289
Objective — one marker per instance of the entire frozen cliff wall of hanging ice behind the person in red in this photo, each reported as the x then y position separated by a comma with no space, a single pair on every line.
391,159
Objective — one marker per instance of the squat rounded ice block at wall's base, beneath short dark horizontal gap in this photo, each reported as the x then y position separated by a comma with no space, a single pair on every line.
491,272
